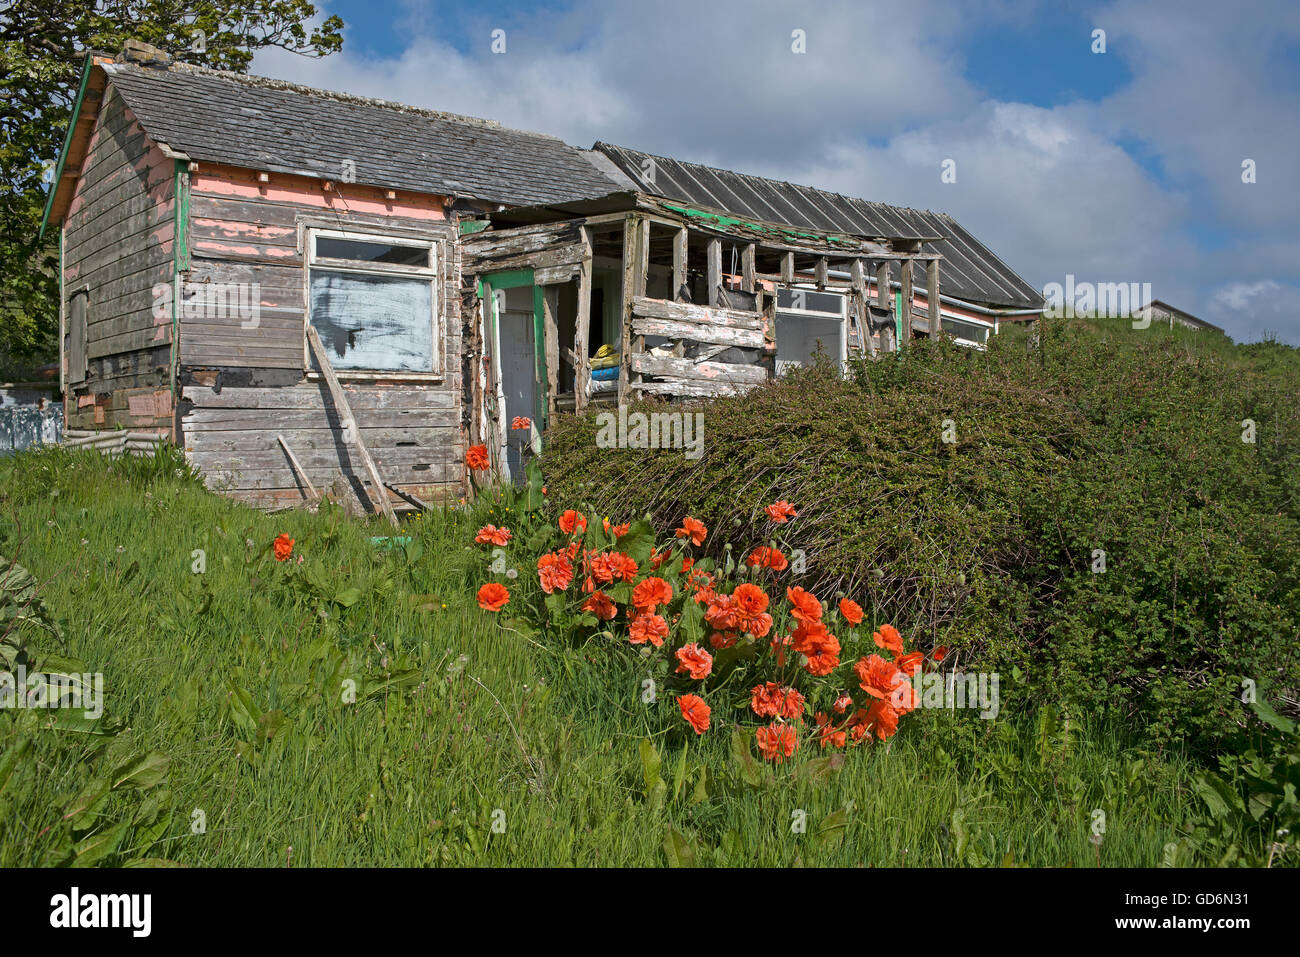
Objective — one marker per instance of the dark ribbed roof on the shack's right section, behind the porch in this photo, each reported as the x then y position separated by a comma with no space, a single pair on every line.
969,270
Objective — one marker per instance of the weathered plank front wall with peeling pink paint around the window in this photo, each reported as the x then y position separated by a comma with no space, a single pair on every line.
244,387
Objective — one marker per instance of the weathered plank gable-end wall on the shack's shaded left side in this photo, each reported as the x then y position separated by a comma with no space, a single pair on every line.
119,246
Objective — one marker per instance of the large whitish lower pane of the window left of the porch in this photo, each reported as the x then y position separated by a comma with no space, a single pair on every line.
375,323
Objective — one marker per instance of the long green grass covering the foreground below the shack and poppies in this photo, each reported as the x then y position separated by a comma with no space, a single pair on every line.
467,744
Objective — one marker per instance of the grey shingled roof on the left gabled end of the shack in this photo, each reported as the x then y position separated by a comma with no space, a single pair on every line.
271,125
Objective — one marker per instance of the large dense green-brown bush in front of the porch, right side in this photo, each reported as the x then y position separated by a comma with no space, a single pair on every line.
1110,517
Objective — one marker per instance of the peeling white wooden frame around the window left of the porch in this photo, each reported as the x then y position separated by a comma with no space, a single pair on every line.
376,235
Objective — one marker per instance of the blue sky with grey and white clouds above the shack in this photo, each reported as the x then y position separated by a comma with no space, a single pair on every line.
1163,150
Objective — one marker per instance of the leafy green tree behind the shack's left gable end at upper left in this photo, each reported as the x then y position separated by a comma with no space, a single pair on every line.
42,53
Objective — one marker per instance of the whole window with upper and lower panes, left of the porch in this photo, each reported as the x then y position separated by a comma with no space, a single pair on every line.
374,301
